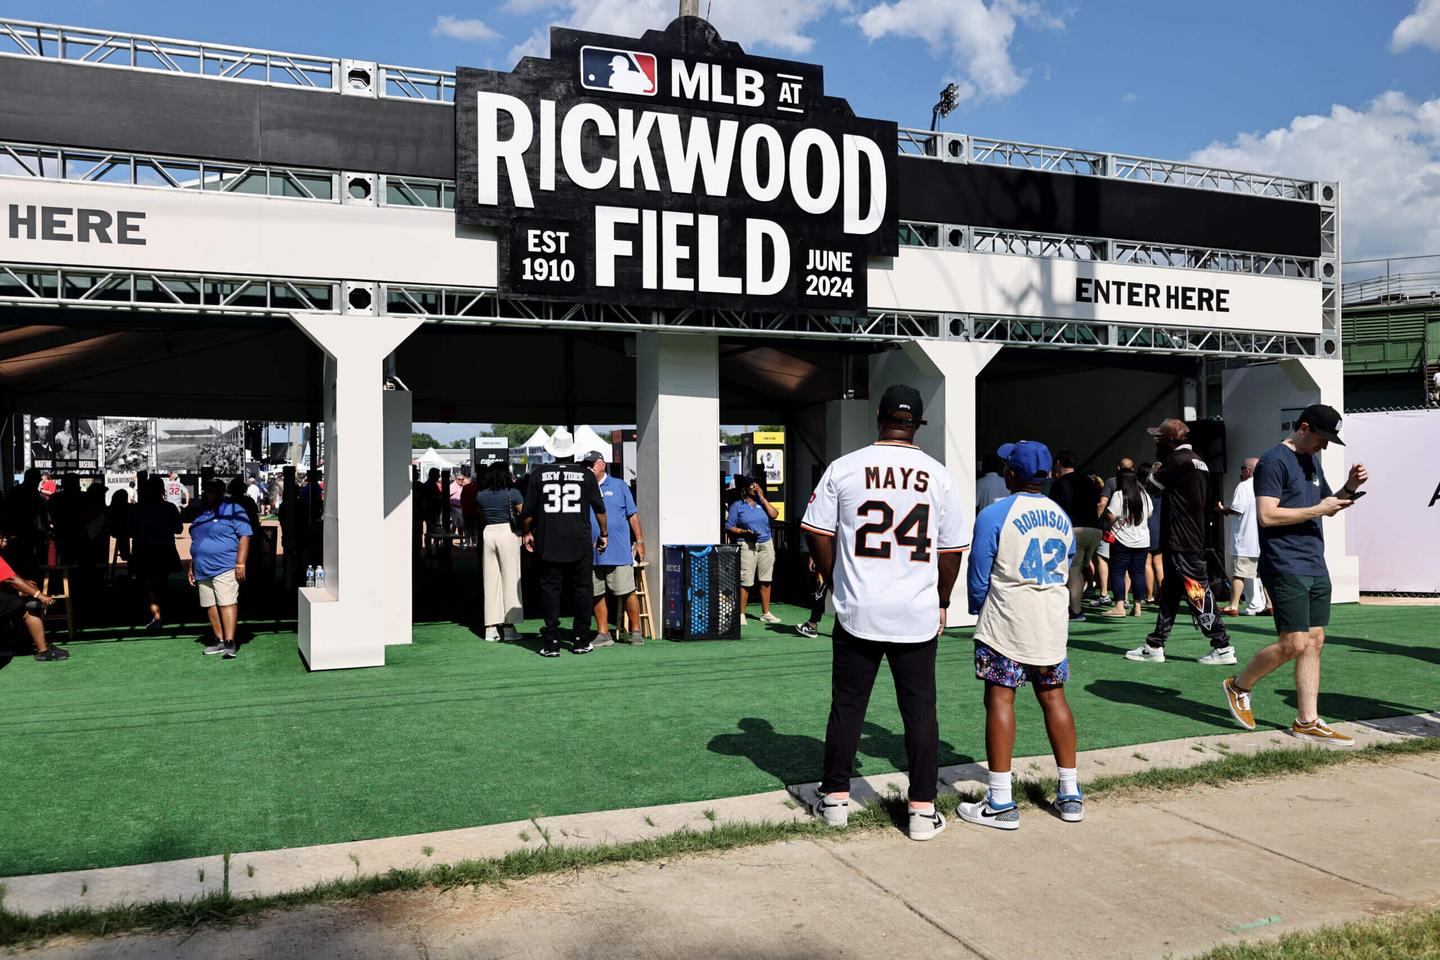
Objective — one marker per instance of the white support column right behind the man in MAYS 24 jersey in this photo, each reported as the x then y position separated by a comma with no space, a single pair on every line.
945,373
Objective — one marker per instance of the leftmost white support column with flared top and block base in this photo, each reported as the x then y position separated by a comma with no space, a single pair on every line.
348,622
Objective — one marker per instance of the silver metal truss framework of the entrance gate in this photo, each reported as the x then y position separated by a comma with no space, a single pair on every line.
192,293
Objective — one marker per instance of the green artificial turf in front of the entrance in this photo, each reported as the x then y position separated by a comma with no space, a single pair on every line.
143,749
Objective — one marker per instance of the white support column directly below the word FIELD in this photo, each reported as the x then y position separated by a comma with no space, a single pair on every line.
678,417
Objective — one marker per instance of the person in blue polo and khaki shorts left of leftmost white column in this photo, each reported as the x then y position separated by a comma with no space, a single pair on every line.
220,548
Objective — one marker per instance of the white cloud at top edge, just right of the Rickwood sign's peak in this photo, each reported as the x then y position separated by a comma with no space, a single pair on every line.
974,35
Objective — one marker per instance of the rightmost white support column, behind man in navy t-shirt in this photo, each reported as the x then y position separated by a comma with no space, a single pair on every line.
1261,401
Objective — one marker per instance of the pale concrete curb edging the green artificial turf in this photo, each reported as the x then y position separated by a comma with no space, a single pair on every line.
266,873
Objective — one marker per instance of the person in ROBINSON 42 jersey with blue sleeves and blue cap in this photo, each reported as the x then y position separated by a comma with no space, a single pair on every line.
1020,566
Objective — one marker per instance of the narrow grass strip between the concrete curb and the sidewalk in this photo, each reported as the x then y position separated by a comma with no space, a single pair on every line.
886,814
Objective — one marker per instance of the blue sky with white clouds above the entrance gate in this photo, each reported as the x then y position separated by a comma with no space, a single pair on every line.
1331,90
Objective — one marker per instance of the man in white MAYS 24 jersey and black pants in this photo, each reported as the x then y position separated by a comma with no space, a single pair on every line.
886,533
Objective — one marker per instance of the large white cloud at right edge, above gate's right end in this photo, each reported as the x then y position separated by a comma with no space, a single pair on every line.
1386,156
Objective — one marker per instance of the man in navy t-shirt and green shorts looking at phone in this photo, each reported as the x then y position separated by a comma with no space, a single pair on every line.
1291,499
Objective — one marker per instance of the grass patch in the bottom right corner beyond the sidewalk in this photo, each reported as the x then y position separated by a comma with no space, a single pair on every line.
1413,933
